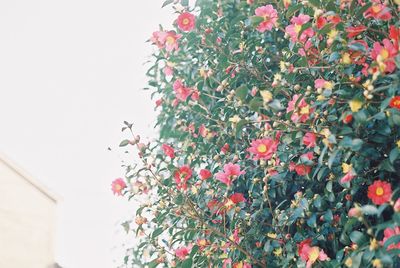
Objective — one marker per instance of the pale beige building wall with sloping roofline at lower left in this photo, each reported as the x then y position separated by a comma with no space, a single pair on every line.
27,221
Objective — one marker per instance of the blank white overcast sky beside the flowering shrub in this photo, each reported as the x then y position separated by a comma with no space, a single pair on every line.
70,73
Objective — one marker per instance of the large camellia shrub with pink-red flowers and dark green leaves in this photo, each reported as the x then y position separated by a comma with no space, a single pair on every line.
279,137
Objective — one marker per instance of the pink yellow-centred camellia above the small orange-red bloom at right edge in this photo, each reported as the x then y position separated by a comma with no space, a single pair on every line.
384,55
